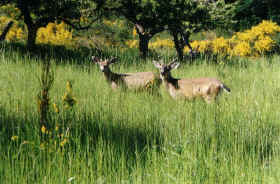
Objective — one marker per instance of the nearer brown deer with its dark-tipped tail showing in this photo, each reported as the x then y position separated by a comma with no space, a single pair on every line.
207,88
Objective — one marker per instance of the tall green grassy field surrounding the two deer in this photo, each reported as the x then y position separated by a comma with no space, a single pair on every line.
128,137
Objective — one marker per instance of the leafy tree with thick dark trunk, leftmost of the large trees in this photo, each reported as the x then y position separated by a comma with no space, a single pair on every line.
38,13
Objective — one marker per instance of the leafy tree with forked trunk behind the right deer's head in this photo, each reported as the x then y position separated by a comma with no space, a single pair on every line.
183,17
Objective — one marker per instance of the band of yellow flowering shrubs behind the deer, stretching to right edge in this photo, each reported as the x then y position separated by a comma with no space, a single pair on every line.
254,42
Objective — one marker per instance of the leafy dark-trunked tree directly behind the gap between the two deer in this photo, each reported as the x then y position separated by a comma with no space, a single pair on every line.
144,16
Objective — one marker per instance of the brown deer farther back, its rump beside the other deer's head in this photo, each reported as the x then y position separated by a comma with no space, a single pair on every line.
136,81
